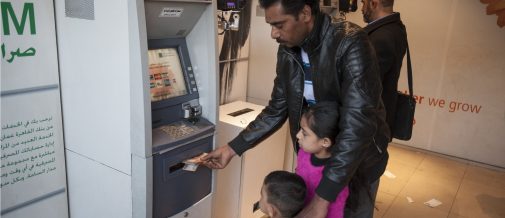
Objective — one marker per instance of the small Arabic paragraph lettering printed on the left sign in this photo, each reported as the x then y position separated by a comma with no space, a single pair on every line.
28,150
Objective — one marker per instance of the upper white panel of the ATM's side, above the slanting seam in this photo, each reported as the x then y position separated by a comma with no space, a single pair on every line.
95,83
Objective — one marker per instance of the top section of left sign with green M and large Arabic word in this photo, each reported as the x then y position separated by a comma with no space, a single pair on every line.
28,55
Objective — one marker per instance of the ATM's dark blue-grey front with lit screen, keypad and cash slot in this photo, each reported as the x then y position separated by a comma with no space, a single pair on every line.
179,132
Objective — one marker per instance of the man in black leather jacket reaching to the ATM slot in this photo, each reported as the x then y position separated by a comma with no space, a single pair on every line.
344,70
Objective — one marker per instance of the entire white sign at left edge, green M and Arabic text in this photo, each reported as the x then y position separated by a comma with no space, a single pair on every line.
33,175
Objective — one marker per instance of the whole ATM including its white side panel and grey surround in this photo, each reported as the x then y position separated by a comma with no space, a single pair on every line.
149,70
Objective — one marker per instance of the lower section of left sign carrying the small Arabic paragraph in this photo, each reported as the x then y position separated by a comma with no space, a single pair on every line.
31,141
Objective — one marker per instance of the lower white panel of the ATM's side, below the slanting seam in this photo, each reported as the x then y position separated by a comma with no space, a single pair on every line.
96,190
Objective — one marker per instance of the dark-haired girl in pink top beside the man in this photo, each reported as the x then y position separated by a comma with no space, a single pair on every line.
318,129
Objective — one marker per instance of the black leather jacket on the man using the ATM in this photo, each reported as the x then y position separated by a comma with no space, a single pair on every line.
345,70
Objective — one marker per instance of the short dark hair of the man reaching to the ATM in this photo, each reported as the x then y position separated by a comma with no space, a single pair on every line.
292,7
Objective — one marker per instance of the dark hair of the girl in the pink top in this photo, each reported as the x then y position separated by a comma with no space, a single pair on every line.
323,119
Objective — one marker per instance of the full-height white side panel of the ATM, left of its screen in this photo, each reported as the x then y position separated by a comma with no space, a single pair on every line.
95,83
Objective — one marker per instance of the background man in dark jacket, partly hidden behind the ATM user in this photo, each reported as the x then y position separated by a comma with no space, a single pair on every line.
389,37
